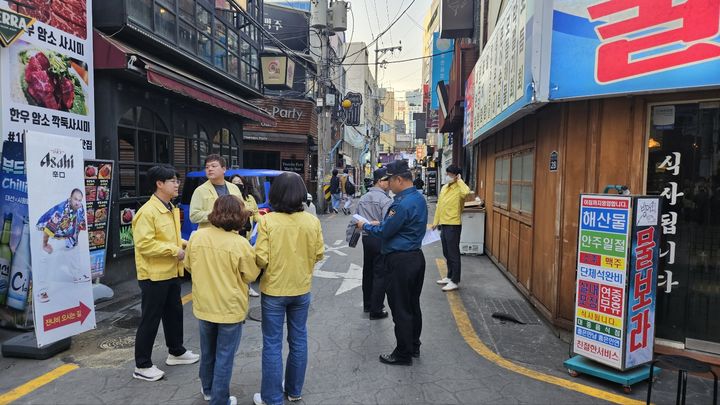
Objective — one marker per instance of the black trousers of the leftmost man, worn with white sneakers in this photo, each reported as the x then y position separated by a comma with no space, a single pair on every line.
160,301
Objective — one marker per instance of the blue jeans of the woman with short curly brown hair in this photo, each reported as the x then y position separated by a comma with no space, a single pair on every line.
218,344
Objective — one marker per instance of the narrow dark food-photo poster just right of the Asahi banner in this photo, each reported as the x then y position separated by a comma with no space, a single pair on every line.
98,186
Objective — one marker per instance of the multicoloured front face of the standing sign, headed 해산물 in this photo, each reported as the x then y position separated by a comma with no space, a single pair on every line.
603,243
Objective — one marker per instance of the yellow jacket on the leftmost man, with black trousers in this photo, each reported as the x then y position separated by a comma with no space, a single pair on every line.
156,234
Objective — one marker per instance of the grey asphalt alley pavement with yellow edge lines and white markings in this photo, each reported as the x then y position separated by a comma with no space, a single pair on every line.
467,357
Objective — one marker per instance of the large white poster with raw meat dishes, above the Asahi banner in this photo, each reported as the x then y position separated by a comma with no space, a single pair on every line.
46,75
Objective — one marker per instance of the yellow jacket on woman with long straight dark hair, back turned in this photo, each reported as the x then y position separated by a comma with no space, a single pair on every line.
287,247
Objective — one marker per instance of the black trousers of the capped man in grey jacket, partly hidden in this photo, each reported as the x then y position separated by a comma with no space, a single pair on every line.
373,276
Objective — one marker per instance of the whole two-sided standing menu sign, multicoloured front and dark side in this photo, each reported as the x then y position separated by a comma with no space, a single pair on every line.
618,253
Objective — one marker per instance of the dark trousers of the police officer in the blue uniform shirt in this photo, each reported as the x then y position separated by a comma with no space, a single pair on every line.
405,272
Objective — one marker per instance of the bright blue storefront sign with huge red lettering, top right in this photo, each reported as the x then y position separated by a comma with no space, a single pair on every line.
613,47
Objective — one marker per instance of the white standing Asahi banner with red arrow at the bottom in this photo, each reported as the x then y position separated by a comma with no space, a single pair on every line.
59,245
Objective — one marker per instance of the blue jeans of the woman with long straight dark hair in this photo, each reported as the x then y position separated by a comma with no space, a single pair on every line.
274,310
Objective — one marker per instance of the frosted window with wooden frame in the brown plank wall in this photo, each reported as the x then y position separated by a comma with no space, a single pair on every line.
514,175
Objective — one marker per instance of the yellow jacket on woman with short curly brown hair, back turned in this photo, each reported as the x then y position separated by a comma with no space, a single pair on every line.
222,264
